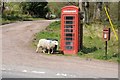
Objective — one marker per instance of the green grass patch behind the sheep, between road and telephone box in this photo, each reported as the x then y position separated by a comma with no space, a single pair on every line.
52,31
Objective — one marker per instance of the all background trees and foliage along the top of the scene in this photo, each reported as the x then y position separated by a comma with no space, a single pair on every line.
17,10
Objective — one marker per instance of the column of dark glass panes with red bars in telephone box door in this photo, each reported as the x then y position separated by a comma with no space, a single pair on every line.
69,24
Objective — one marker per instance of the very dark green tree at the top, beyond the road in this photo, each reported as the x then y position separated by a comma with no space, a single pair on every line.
38,9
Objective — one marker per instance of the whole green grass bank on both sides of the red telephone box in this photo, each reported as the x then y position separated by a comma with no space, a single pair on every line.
93,44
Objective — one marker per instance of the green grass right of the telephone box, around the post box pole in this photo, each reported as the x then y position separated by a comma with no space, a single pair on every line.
94,44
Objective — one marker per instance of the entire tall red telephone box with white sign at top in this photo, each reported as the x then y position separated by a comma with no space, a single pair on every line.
70,30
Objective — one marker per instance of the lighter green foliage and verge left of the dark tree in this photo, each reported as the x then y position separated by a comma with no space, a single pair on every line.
14,12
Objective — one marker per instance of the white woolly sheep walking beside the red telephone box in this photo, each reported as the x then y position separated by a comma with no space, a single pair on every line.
45,44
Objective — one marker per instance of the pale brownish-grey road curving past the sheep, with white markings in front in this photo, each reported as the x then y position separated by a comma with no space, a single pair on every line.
19,59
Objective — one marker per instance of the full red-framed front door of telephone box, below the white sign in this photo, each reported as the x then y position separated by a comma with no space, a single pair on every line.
69,36
